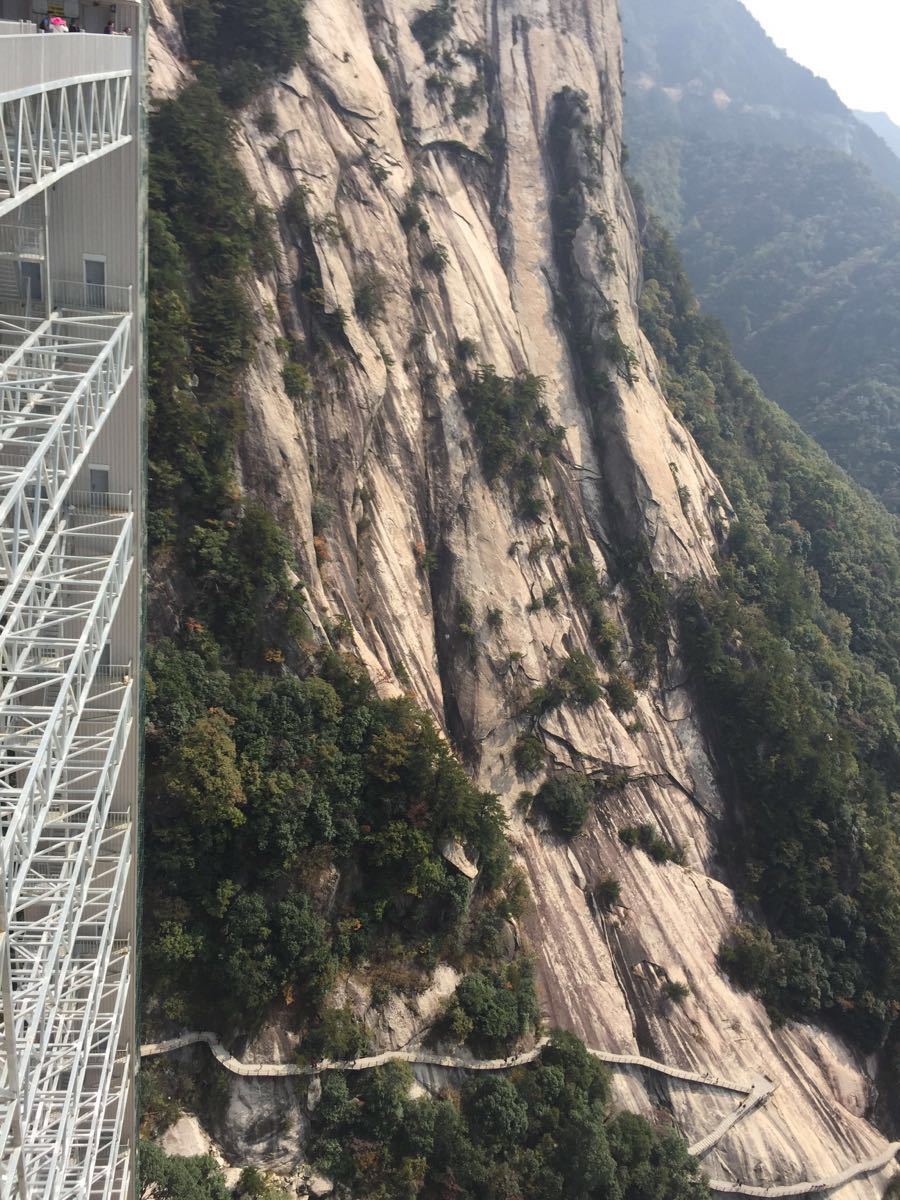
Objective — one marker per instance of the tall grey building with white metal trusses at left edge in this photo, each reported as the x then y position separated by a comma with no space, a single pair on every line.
73,460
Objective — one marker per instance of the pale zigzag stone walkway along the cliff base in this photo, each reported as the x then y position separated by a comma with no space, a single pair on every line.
754,1094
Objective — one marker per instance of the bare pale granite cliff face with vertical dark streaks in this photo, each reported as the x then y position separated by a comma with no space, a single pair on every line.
385,441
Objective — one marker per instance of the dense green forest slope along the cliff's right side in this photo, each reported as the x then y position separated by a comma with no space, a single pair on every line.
797,658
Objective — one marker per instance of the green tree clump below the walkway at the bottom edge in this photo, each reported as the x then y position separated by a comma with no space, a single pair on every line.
543,1133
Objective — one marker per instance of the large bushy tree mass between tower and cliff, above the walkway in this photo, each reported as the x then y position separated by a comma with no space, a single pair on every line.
257,788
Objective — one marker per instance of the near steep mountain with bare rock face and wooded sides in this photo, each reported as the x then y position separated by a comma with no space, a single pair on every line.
511,653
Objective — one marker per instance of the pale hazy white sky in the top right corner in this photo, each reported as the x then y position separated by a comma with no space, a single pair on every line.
854,46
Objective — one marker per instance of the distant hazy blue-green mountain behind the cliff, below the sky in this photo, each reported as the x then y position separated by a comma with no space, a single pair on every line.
773,190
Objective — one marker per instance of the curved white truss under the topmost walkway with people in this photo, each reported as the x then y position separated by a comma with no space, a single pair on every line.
50,130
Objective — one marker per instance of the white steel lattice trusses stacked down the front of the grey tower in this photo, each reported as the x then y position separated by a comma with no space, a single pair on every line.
65,719
